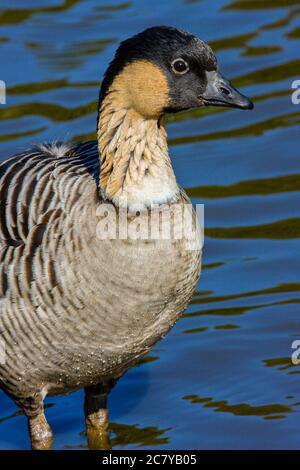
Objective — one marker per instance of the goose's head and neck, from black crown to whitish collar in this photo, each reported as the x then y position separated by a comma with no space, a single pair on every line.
161,70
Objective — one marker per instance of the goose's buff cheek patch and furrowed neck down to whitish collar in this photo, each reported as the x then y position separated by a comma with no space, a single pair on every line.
135,166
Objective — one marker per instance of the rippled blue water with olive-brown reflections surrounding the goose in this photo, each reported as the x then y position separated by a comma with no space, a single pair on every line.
223,377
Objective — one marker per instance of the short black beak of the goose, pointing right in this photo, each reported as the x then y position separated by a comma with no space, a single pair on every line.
220,92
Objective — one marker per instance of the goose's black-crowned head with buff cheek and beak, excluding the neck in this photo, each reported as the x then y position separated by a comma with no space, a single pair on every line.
176,71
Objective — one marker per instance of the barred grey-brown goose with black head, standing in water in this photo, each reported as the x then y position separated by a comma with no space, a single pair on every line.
78,309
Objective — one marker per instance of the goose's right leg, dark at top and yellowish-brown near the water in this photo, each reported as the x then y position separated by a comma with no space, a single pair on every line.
96,415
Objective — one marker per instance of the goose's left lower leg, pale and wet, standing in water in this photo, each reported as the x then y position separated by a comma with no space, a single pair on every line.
40,432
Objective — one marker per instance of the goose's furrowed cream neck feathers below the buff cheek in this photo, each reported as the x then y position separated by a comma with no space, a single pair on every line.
136,171
